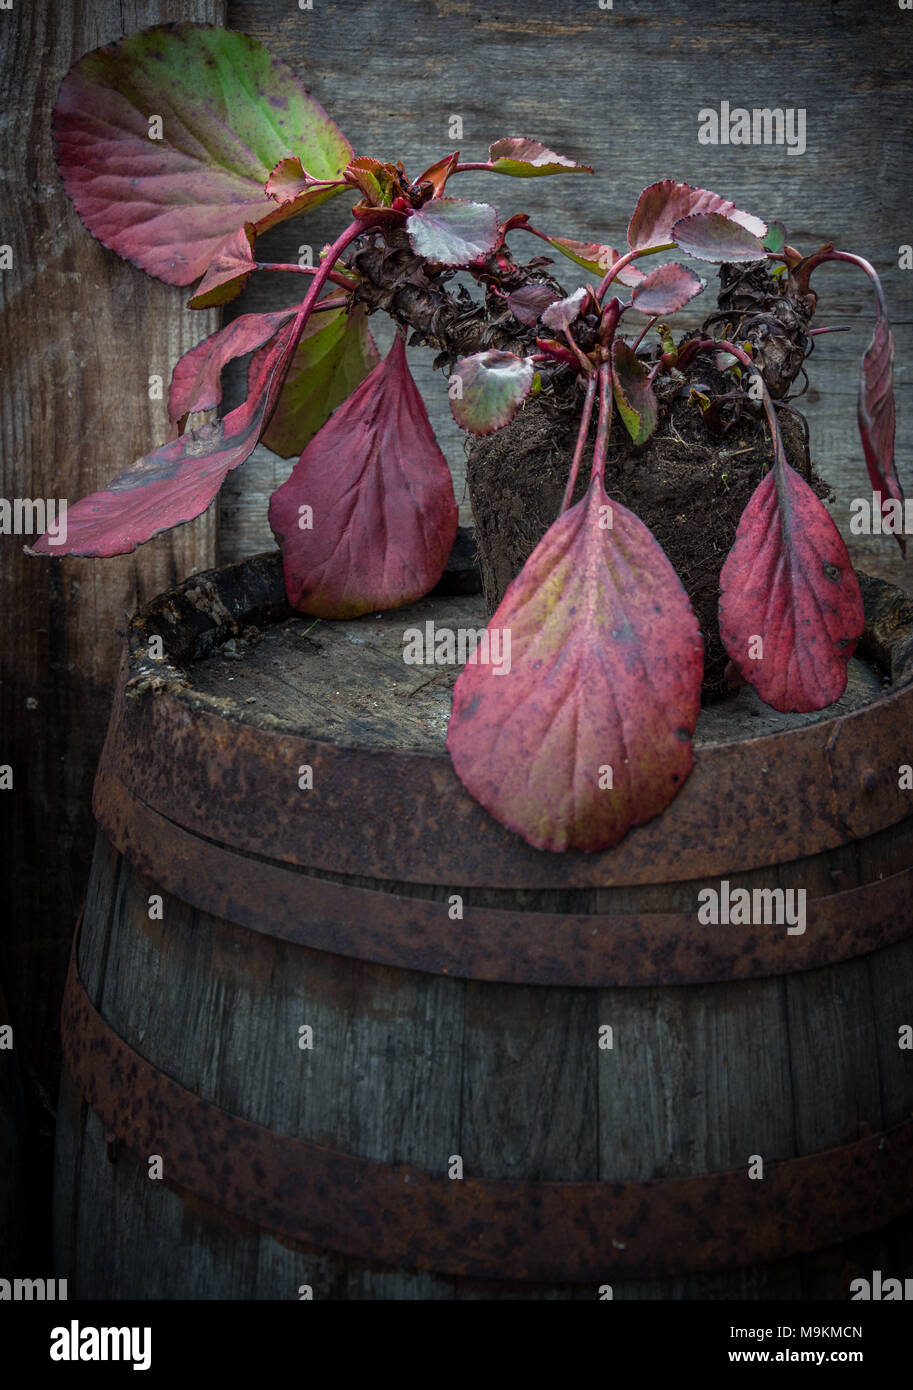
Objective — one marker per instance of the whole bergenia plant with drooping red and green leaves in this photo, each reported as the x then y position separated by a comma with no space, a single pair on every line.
183,144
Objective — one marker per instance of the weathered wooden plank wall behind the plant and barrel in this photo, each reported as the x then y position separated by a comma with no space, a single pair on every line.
83,332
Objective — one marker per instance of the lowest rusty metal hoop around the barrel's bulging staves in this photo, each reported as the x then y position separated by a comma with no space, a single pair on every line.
400,1216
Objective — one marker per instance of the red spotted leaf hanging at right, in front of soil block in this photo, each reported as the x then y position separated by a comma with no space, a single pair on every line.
789,582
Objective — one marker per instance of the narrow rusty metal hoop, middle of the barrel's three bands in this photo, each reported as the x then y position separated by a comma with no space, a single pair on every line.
595,950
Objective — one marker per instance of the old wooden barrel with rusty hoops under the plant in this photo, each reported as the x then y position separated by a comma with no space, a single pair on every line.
331,1028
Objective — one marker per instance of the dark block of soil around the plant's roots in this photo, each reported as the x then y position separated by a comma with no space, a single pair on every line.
689,486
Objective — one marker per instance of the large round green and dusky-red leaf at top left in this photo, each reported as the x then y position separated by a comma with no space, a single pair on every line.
229,112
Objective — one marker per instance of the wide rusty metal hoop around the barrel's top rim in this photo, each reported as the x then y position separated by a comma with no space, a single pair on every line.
405,815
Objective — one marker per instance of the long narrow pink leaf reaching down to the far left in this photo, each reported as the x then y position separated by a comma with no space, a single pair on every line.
179,482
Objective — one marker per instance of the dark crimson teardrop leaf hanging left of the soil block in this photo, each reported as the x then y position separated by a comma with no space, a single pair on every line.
381,498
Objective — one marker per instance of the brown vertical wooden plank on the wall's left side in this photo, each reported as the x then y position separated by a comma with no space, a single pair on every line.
81,334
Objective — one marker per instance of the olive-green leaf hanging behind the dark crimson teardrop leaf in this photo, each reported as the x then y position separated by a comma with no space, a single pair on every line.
333,358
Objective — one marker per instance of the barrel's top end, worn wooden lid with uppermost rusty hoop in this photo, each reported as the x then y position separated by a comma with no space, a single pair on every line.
215,723
